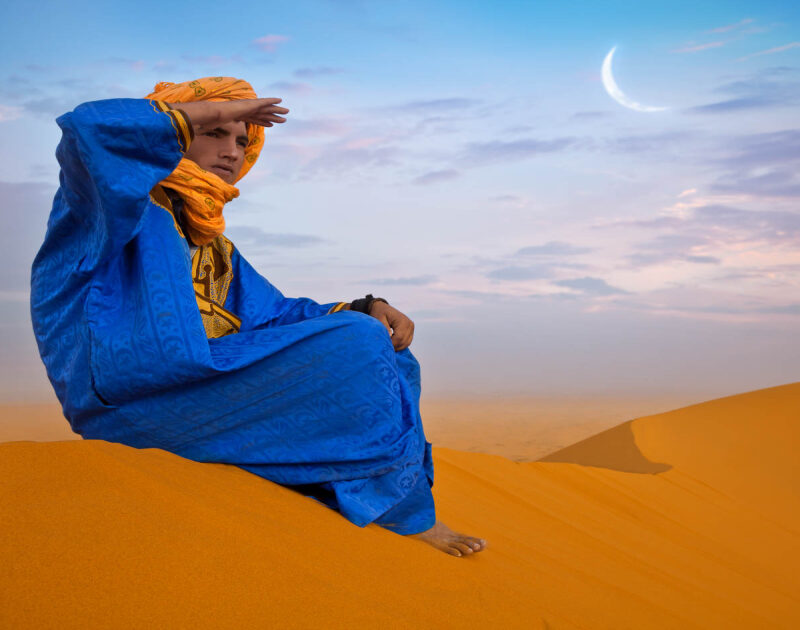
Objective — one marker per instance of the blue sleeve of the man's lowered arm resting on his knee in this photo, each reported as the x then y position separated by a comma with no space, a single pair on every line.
259,304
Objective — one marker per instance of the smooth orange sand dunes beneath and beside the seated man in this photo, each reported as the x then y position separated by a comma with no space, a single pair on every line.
687,519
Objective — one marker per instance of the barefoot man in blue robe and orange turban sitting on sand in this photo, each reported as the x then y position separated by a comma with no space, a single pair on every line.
157,333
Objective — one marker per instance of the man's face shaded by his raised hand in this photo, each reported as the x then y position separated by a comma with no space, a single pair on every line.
220,150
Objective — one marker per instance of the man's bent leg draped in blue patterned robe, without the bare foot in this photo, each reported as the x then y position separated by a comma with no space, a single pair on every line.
333,408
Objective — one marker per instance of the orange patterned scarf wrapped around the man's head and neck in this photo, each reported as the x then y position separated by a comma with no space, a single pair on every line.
204,193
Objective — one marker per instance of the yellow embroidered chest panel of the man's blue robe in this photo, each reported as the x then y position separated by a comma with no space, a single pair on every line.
212,272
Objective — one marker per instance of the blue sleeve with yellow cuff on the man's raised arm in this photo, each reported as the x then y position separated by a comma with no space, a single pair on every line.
112,154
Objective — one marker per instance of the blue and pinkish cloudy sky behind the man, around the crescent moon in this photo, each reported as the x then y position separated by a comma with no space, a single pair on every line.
465,161
